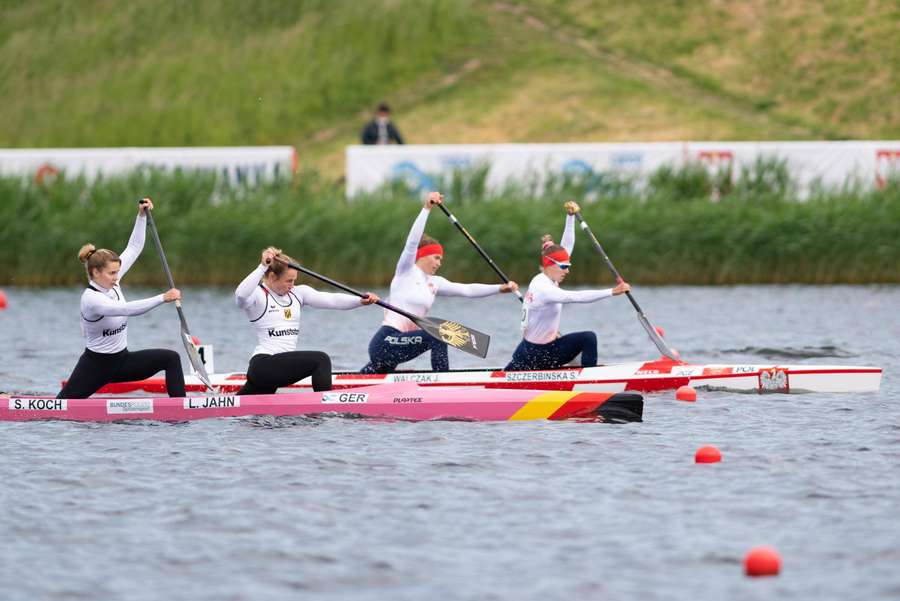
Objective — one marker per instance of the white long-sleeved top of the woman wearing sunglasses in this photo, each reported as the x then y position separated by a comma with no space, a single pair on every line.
542,310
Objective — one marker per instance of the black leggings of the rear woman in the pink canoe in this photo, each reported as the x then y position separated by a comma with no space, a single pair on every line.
95,370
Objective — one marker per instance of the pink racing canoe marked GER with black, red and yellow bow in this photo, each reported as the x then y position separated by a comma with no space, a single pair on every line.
404,401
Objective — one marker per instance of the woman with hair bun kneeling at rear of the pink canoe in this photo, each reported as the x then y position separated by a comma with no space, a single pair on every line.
104,323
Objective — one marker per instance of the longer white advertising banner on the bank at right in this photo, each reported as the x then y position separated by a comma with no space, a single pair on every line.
831,163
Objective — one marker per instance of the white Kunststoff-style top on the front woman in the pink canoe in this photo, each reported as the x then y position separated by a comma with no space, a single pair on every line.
275,317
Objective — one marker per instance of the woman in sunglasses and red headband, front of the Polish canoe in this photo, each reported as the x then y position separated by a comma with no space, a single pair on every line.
542,346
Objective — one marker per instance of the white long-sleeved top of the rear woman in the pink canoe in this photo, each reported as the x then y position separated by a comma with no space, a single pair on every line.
104,311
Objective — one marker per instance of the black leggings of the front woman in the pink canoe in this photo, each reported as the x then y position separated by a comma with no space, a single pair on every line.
267,373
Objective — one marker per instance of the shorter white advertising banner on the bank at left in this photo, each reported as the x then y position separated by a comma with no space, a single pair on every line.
238,164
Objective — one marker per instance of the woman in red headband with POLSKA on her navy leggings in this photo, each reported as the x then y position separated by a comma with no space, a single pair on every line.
414,288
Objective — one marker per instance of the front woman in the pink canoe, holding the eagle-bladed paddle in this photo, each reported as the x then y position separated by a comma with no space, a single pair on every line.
272,303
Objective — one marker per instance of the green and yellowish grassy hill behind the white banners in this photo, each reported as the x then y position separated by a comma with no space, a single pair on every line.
228,72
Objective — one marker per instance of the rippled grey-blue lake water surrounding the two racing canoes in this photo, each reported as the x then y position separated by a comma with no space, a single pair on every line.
337,508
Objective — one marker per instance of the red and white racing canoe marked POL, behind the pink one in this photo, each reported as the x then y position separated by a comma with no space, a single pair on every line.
651,376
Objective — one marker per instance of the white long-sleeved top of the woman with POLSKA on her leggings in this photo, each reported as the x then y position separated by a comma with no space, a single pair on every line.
414,291
